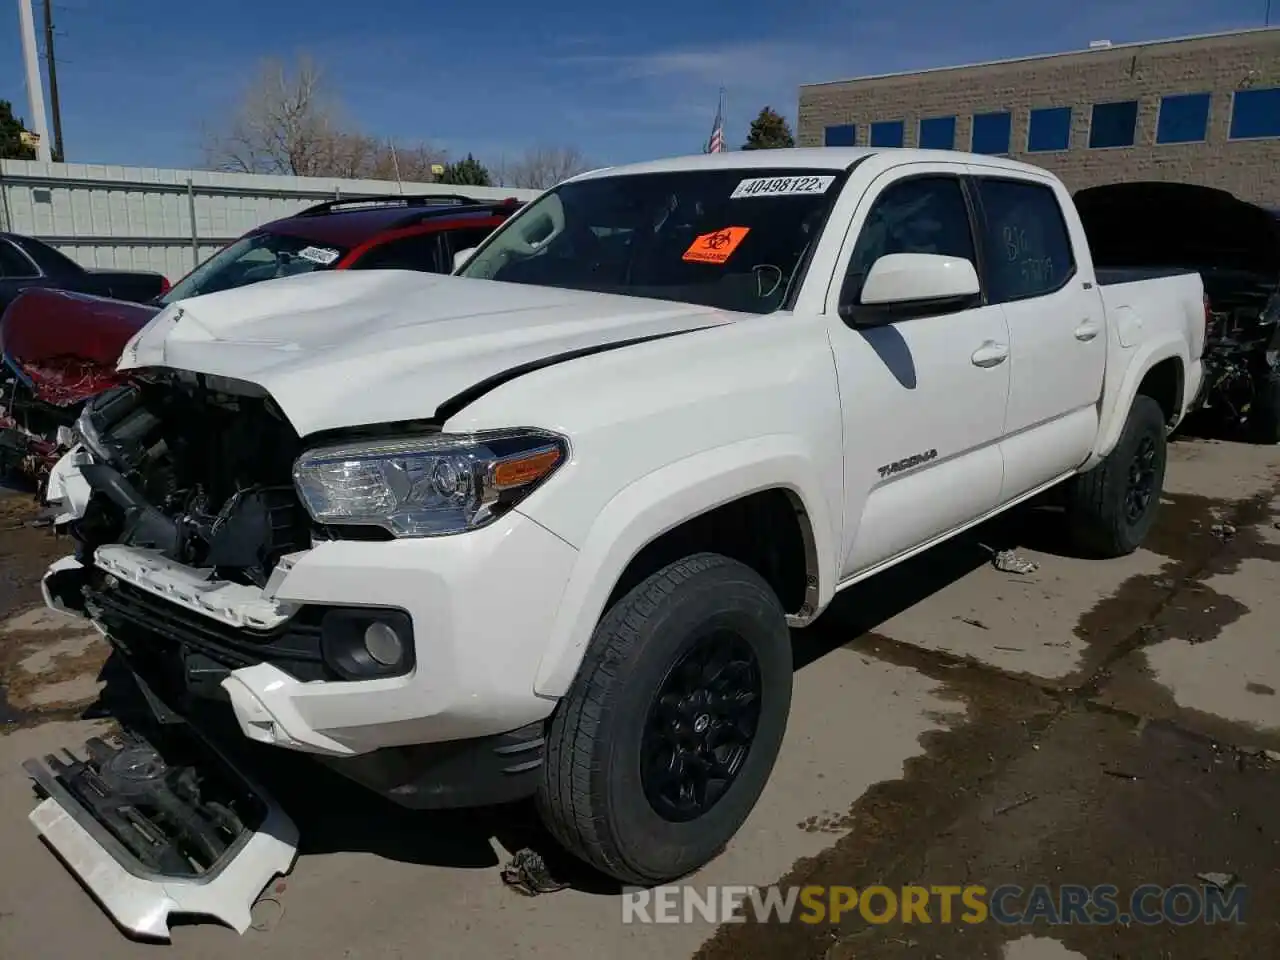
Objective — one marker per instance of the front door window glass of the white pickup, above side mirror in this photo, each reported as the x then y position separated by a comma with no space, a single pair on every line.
921,216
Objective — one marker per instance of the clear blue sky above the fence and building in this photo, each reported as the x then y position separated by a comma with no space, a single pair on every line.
139,77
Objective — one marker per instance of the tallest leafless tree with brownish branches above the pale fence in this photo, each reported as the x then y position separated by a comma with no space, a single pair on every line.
290,124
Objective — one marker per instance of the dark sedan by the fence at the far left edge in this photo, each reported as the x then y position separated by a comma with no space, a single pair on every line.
30,264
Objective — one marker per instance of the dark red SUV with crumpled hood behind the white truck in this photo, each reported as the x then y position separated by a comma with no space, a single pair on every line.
61,346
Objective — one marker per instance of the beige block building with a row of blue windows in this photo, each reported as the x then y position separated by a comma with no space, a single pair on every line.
1197,109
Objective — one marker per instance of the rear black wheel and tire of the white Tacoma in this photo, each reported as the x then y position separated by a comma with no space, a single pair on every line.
1113,506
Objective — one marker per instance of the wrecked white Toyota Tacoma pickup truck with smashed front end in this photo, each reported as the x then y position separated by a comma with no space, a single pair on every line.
543,528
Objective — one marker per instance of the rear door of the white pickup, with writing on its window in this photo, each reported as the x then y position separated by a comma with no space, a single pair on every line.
1057,328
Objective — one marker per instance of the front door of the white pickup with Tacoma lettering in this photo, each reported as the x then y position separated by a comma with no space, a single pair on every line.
924,399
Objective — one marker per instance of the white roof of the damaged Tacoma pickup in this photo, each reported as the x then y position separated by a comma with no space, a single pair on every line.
804,159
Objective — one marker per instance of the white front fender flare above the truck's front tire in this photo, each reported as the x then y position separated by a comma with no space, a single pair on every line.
662,501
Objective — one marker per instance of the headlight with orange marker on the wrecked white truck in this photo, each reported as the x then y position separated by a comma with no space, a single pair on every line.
426,486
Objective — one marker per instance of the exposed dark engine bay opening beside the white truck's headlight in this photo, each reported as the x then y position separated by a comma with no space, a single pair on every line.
200,476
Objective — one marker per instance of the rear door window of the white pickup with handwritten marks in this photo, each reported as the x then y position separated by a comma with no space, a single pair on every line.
1028,250
